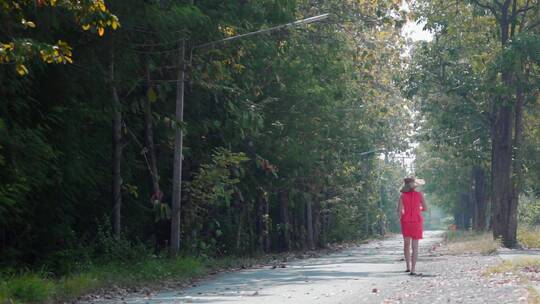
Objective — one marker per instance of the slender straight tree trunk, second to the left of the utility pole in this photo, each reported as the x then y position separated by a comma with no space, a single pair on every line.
116,153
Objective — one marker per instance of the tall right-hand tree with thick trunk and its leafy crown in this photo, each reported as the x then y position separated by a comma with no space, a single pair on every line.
489,82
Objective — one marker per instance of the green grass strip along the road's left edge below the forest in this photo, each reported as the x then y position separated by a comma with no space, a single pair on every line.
39,288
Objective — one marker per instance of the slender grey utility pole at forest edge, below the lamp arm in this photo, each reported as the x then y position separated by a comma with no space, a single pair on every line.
177,170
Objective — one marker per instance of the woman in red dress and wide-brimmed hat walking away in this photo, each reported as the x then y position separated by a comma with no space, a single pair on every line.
411,205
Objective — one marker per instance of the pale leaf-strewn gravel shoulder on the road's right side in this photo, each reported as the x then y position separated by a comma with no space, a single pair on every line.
458,279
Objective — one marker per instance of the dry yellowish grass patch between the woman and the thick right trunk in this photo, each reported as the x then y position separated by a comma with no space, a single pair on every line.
462,242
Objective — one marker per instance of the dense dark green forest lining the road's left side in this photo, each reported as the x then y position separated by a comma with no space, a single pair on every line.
282,132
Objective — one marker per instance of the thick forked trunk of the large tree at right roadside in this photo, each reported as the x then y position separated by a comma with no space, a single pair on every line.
512,17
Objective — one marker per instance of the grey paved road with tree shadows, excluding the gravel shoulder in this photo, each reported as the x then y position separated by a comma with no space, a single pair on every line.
364,274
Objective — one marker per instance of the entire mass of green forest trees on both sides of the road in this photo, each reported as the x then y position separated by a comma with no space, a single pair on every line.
140,126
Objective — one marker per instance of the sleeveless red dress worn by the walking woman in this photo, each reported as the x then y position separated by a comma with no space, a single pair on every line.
411,218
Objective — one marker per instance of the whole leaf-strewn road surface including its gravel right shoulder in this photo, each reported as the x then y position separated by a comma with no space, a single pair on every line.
370,273
